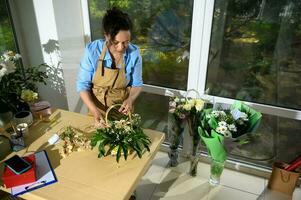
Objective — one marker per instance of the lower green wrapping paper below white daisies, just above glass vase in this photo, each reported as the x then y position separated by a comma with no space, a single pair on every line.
214,144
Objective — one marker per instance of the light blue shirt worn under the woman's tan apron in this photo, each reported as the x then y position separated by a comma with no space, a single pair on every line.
88,65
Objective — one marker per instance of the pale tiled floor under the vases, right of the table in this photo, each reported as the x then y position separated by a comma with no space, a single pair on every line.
162,182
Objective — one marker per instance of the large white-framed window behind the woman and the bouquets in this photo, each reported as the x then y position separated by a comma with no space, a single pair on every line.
246,50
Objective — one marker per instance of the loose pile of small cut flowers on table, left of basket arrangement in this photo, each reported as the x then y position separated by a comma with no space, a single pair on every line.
73,140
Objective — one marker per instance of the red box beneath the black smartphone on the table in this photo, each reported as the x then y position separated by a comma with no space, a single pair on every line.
10,179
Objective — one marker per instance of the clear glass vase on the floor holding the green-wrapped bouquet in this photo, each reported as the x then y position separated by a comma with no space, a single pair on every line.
216,170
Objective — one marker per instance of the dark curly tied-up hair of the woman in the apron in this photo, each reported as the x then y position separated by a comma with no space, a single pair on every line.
114,21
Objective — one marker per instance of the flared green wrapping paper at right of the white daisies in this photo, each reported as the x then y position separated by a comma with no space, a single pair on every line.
253,115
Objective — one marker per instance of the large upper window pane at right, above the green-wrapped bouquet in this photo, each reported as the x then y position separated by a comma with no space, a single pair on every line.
255,52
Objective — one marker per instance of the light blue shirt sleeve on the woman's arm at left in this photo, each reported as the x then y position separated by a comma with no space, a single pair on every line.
85,73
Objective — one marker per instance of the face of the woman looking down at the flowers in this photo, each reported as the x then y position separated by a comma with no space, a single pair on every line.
120,43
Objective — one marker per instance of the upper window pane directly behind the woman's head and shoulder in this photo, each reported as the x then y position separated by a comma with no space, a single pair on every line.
162,30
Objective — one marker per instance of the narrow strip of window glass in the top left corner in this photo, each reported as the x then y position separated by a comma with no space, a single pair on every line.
7,41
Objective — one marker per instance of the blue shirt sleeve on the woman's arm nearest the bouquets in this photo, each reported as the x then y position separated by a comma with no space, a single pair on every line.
137,71
